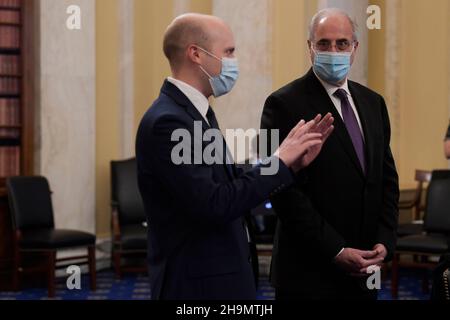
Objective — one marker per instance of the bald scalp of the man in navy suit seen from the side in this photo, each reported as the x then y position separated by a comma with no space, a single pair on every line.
188,29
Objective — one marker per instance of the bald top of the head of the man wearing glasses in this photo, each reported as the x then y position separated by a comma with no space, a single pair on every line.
337,17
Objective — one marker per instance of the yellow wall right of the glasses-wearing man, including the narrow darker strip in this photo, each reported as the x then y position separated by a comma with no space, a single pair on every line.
420,109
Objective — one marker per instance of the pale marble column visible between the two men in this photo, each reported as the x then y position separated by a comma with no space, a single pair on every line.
251,24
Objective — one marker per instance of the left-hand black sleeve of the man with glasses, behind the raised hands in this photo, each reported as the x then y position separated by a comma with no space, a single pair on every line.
299,219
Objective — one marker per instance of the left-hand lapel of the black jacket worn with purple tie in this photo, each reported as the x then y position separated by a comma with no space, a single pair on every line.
322,103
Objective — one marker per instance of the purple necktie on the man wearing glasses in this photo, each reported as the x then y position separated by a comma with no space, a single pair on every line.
352,126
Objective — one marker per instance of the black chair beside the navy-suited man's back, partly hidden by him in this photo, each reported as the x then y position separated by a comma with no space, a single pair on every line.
128,221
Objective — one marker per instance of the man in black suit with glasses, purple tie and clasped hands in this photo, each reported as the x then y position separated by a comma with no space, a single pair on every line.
340,216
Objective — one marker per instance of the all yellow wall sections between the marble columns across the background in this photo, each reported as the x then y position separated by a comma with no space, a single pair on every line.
419,119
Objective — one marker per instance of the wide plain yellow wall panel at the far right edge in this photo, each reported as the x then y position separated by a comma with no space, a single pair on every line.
424,89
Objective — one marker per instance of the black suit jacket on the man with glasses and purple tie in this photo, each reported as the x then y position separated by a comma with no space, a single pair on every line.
333,204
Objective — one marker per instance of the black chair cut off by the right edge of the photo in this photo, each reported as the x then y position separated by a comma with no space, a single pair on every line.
435,239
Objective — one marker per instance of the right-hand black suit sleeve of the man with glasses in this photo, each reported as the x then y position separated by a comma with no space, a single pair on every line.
387,225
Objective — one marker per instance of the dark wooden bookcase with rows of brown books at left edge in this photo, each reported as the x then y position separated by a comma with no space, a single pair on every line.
16,111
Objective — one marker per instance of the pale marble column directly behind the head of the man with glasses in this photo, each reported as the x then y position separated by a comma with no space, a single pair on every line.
357,11
